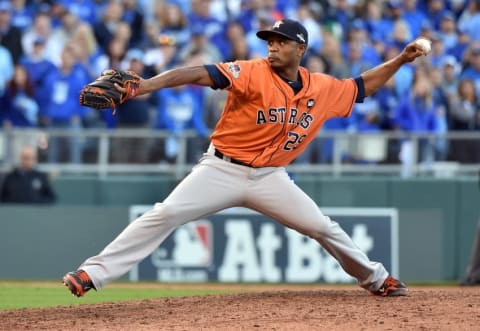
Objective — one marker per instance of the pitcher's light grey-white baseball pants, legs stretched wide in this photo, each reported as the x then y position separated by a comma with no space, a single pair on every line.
214,185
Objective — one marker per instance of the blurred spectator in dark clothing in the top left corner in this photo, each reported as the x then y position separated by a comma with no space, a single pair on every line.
10,35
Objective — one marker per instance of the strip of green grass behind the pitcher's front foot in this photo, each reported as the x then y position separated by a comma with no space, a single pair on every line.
29,295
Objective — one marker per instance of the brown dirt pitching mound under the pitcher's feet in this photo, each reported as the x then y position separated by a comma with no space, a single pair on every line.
329,308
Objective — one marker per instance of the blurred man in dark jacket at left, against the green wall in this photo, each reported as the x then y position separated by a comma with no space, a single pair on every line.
26,184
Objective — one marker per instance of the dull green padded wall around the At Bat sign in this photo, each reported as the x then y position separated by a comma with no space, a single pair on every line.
437,221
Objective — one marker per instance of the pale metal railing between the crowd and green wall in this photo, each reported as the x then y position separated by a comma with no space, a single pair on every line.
351,153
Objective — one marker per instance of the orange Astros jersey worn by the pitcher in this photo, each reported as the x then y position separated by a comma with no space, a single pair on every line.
264,123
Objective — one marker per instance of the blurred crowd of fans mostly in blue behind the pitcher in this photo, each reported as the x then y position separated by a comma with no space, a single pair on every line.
50,49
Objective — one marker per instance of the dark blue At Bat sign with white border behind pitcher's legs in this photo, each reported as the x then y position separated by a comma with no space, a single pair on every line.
239,245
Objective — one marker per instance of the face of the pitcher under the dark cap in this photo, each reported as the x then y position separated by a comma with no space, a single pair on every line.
283,52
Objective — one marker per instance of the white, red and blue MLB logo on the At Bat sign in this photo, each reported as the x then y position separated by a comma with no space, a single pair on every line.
191,245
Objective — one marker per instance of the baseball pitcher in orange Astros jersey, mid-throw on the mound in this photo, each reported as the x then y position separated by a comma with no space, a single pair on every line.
273,110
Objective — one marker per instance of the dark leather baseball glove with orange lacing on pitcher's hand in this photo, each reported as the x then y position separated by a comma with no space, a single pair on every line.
102,94
